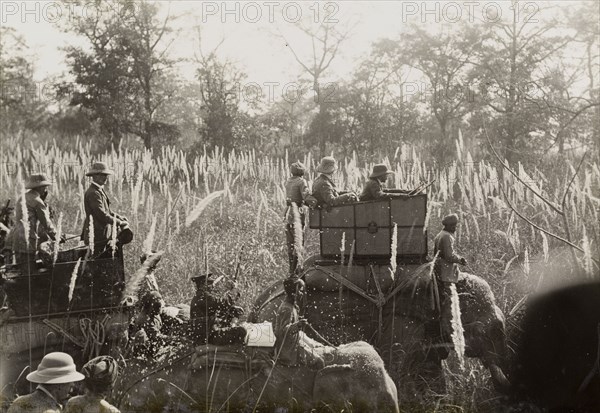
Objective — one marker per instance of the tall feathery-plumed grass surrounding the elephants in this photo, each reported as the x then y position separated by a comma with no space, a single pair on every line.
164,187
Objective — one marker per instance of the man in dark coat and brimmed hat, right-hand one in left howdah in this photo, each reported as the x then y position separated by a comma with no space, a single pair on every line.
97,207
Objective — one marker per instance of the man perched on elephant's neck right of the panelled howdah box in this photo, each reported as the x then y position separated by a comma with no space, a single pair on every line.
445,266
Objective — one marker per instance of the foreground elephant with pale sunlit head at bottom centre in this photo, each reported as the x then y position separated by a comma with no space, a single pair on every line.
238,378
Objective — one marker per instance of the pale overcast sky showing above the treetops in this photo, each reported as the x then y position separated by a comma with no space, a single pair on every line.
248,29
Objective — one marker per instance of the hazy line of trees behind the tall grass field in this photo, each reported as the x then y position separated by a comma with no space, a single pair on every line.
531,87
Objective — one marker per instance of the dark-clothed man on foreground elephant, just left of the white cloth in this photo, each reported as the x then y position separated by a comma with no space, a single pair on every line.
211,317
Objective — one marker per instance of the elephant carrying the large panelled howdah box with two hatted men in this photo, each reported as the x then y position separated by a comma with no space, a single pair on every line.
396,312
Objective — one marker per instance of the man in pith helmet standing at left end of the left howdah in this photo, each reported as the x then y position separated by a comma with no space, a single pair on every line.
25,241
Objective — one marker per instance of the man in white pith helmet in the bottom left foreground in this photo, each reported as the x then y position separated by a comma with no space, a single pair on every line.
54,378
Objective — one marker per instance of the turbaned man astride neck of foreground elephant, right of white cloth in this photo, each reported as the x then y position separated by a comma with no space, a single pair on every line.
292,346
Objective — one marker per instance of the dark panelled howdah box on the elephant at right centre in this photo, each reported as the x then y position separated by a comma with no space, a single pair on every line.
370,225
